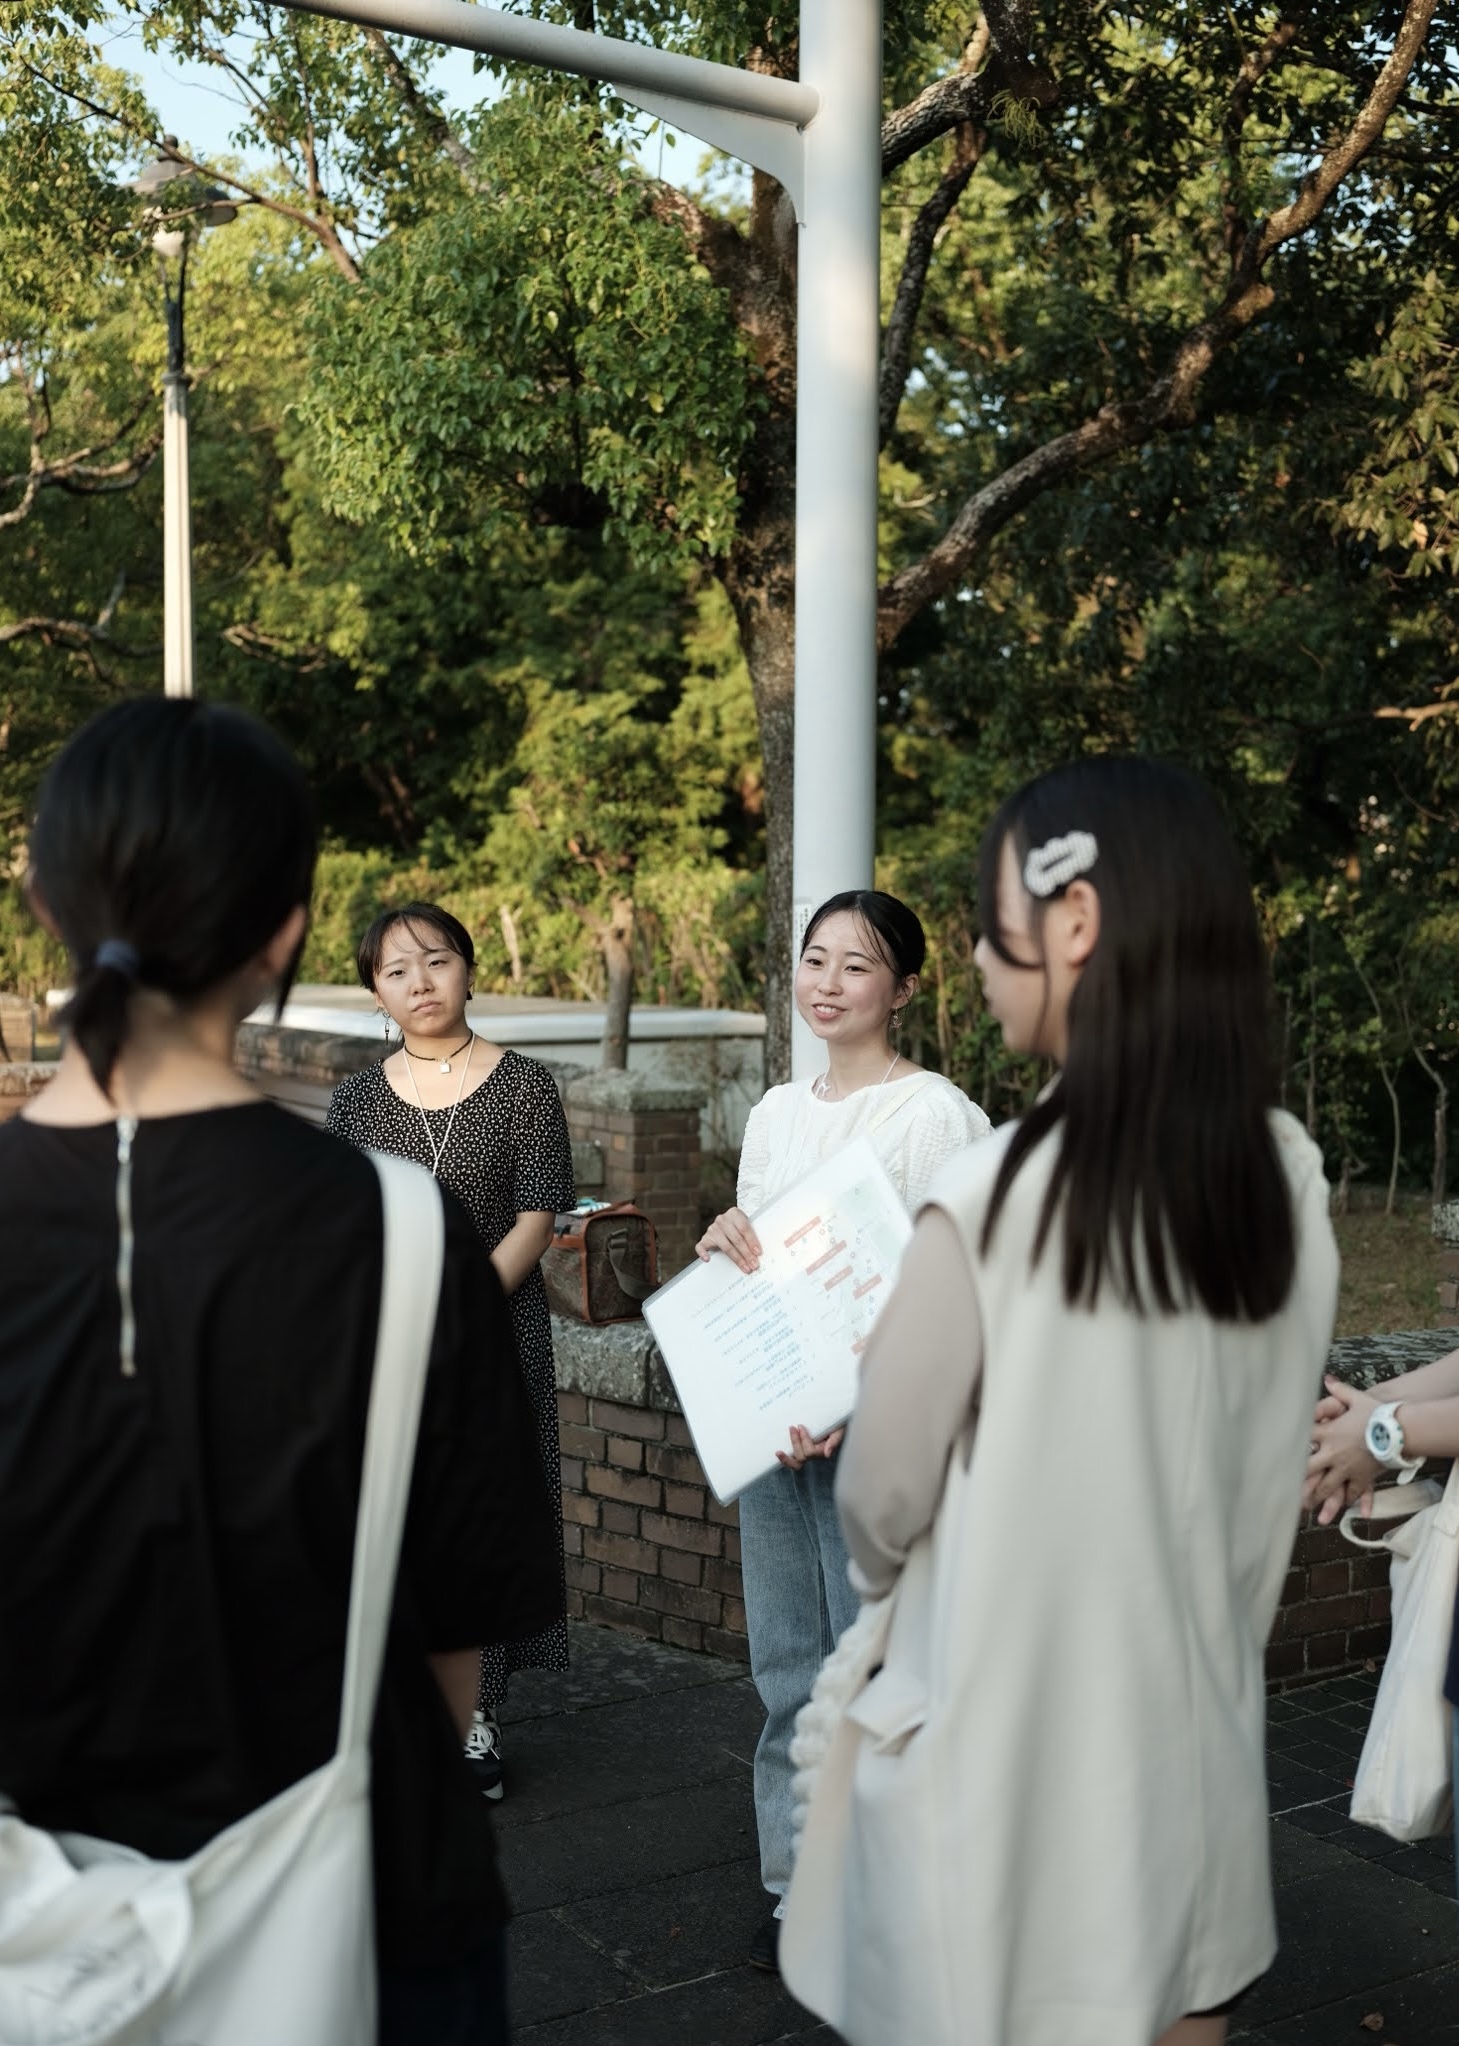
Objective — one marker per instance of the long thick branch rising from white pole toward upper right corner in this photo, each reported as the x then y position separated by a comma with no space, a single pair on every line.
1171,398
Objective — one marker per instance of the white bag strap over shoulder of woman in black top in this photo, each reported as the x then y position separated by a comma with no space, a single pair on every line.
410,1290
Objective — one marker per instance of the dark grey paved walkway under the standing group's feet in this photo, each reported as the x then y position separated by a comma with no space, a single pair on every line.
629,1849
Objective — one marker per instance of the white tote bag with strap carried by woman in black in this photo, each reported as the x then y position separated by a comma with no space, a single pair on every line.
265,1937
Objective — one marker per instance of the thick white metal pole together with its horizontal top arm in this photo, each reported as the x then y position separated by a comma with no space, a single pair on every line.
817,134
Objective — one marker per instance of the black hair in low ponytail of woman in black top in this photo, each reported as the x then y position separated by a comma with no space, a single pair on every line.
171,844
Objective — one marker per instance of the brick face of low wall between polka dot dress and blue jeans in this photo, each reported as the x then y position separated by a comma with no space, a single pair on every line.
648,1548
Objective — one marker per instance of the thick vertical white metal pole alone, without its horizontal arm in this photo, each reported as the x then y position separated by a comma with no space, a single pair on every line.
836,465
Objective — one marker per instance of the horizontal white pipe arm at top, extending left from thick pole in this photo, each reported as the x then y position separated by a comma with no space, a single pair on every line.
574,50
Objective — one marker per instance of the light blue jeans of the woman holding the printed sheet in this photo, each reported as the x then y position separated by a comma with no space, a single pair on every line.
797,1607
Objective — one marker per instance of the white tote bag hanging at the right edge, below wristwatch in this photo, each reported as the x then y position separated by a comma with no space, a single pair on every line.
1405,1777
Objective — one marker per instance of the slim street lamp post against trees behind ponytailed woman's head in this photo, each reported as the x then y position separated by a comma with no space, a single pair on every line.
173,240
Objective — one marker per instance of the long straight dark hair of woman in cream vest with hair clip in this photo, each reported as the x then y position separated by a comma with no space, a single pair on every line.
1167,1177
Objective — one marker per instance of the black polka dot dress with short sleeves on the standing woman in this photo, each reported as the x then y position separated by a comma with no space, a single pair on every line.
509,1157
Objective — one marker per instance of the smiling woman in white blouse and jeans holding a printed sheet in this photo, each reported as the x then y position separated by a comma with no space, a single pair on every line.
858,971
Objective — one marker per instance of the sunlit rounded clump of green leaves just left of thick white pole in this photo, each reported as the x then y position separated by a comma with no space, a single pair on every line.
545,349
